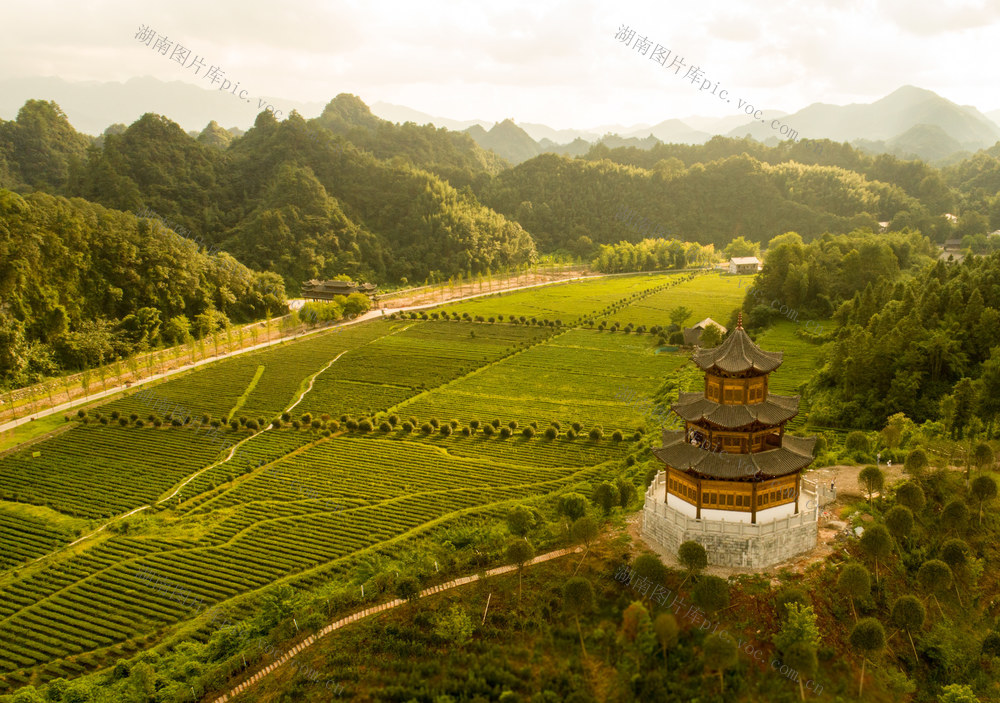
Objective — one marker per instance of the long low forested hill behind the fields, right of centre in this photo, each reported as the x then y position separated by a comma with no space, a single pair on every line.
559,199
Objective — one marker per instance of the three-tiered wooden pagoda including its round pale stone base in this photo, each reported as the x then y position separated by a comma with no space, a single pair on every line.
732,462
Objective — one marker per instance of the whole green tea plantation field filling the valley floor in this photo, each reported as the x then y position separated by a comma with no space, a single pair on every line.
344,445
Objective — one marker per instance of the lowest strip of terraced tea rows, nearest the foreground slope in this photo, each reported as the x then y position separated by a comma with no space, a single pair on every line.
118,603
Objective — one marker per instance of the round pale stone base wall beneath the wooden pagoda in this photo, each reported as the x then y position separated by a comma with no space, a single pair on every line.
729,543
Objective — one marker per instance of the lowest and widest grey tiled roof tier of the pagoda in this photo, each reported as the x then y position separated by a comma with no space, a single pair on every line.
794,454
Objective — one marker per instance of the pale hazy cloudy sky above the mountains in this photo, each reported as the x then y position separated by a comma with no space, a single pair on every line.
550,61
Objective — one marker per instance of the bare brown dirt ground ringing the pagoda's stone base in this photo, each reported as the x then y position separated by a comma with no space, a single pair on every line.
830,527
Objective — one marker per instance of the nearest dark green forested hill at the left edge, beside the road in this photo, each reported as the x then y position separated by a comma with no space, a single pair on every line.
81,284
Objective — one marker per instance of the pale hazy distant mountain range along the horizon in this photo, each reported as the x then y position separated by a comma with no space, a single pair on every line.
909,123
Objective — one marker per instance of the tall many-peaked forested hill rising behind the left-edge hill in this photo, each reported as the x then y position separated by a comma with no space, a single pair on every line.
293,198
